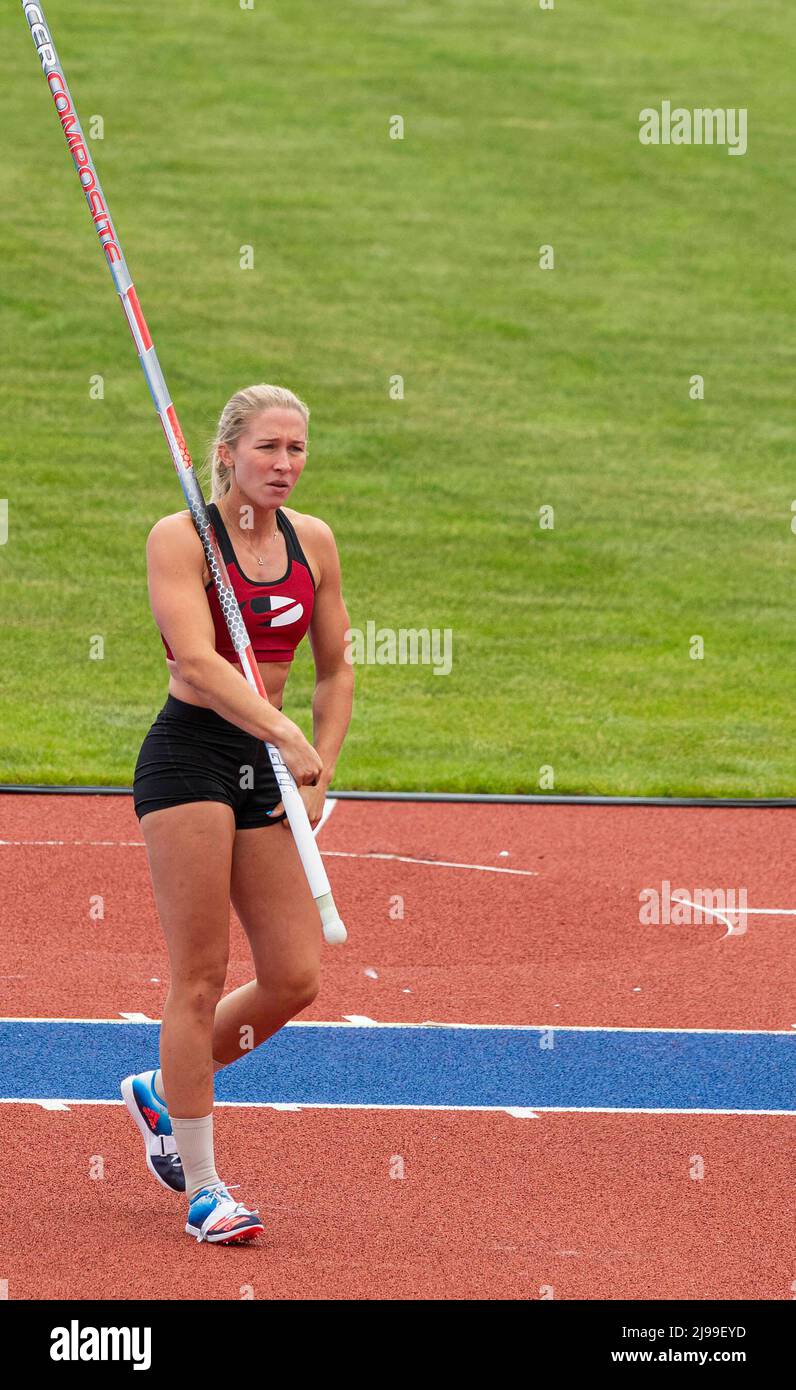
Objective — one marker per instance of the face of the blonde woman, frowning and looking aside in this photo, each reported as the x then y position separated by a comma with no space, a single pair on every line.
270,457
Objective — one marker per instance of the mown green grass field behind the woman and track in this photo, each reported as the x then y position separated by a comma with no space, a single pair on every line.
524,389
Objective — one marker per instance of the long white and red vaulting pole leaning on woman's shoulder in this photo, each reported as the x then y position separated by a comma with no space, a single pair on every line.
334,929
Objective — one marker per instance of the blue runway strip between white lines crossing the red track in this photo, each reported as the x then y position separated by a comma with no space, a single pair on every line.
355,1065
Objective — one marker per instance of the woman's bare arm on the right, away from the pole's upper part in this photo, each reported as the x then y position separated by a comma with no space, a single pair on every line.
334,694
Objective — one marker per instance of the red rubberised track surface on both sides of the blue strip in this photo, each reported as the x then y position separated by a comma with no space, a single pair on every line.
490,1206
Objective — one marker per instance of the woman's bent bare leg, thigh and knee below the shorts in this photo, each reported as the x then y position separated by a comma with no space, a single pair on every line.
272,897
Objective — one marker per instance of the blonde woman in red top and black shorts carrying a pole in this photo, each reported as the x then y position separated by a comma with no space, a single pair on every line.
205,789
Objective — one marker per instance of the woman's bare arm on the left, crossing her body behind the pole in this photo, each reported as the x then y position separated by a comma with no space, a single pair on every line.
176,564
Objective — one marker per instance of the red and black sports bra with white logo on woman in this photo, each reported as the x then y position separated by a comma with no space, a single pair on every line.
277,615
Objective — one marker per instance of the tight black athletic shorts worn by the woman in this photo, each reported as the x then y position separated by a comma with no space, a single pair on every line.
192,754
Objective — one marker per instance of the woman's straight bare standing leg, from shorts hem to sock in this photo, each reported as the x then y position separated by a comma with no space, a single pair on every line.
190,850
